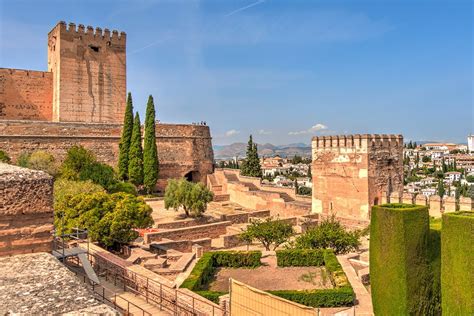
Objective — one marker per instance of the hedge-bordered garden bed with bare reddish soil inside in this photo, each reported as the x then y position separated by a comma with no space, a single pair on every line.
305,285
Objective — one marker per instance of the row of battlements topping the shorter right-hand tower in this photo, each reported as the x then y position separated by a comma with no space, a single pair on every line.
357,141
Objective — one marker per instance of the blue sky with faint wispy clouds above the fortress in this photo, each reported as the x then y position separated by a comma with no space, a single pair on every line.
281,70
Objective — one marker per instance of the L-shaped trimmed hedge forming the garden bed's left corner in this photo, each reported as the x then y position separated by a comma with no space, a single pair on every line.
204,269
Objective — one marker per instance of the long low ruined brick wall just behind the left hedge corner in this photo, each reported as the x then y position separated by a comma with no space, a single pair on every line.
213,230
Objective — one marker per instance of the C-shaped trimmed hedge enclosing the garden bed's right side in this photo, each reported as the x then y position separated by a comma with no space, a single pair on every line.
341,295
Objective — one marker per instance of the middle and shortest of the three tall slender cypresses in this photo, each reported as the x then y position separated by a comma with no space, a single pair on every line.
135,157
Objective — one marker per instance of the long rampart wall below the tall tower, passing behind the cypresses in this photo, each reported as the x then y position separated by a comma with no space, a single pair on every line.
182,149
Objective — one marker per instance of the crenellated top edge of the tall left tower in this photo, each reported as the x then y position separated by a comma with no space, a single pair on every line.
88,32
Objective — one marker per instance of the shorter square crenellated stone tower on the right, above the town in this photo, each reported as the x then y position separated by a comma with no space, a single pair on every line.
352,172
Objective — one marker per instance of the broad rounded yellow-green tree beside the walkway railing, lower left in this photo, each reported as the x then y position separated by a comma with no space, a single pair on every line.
110,219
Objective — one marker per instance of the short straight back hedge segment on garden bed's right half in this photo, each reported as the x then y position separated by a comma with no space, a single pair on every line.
300,257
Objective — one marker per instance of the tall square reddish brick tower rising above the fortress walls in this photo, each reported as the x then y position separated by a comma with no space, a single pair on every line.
89,74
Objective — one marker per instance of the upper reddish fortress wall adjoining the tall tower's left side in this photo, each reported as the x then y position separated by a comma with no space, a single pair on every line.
25,94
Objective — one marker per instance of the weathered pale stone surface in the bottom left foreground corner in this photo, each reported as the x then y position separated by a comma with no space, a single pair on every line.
38,284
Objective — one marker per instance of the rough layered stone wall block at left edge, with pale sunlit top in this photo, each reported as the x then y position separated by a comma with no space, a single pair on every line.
26,210
